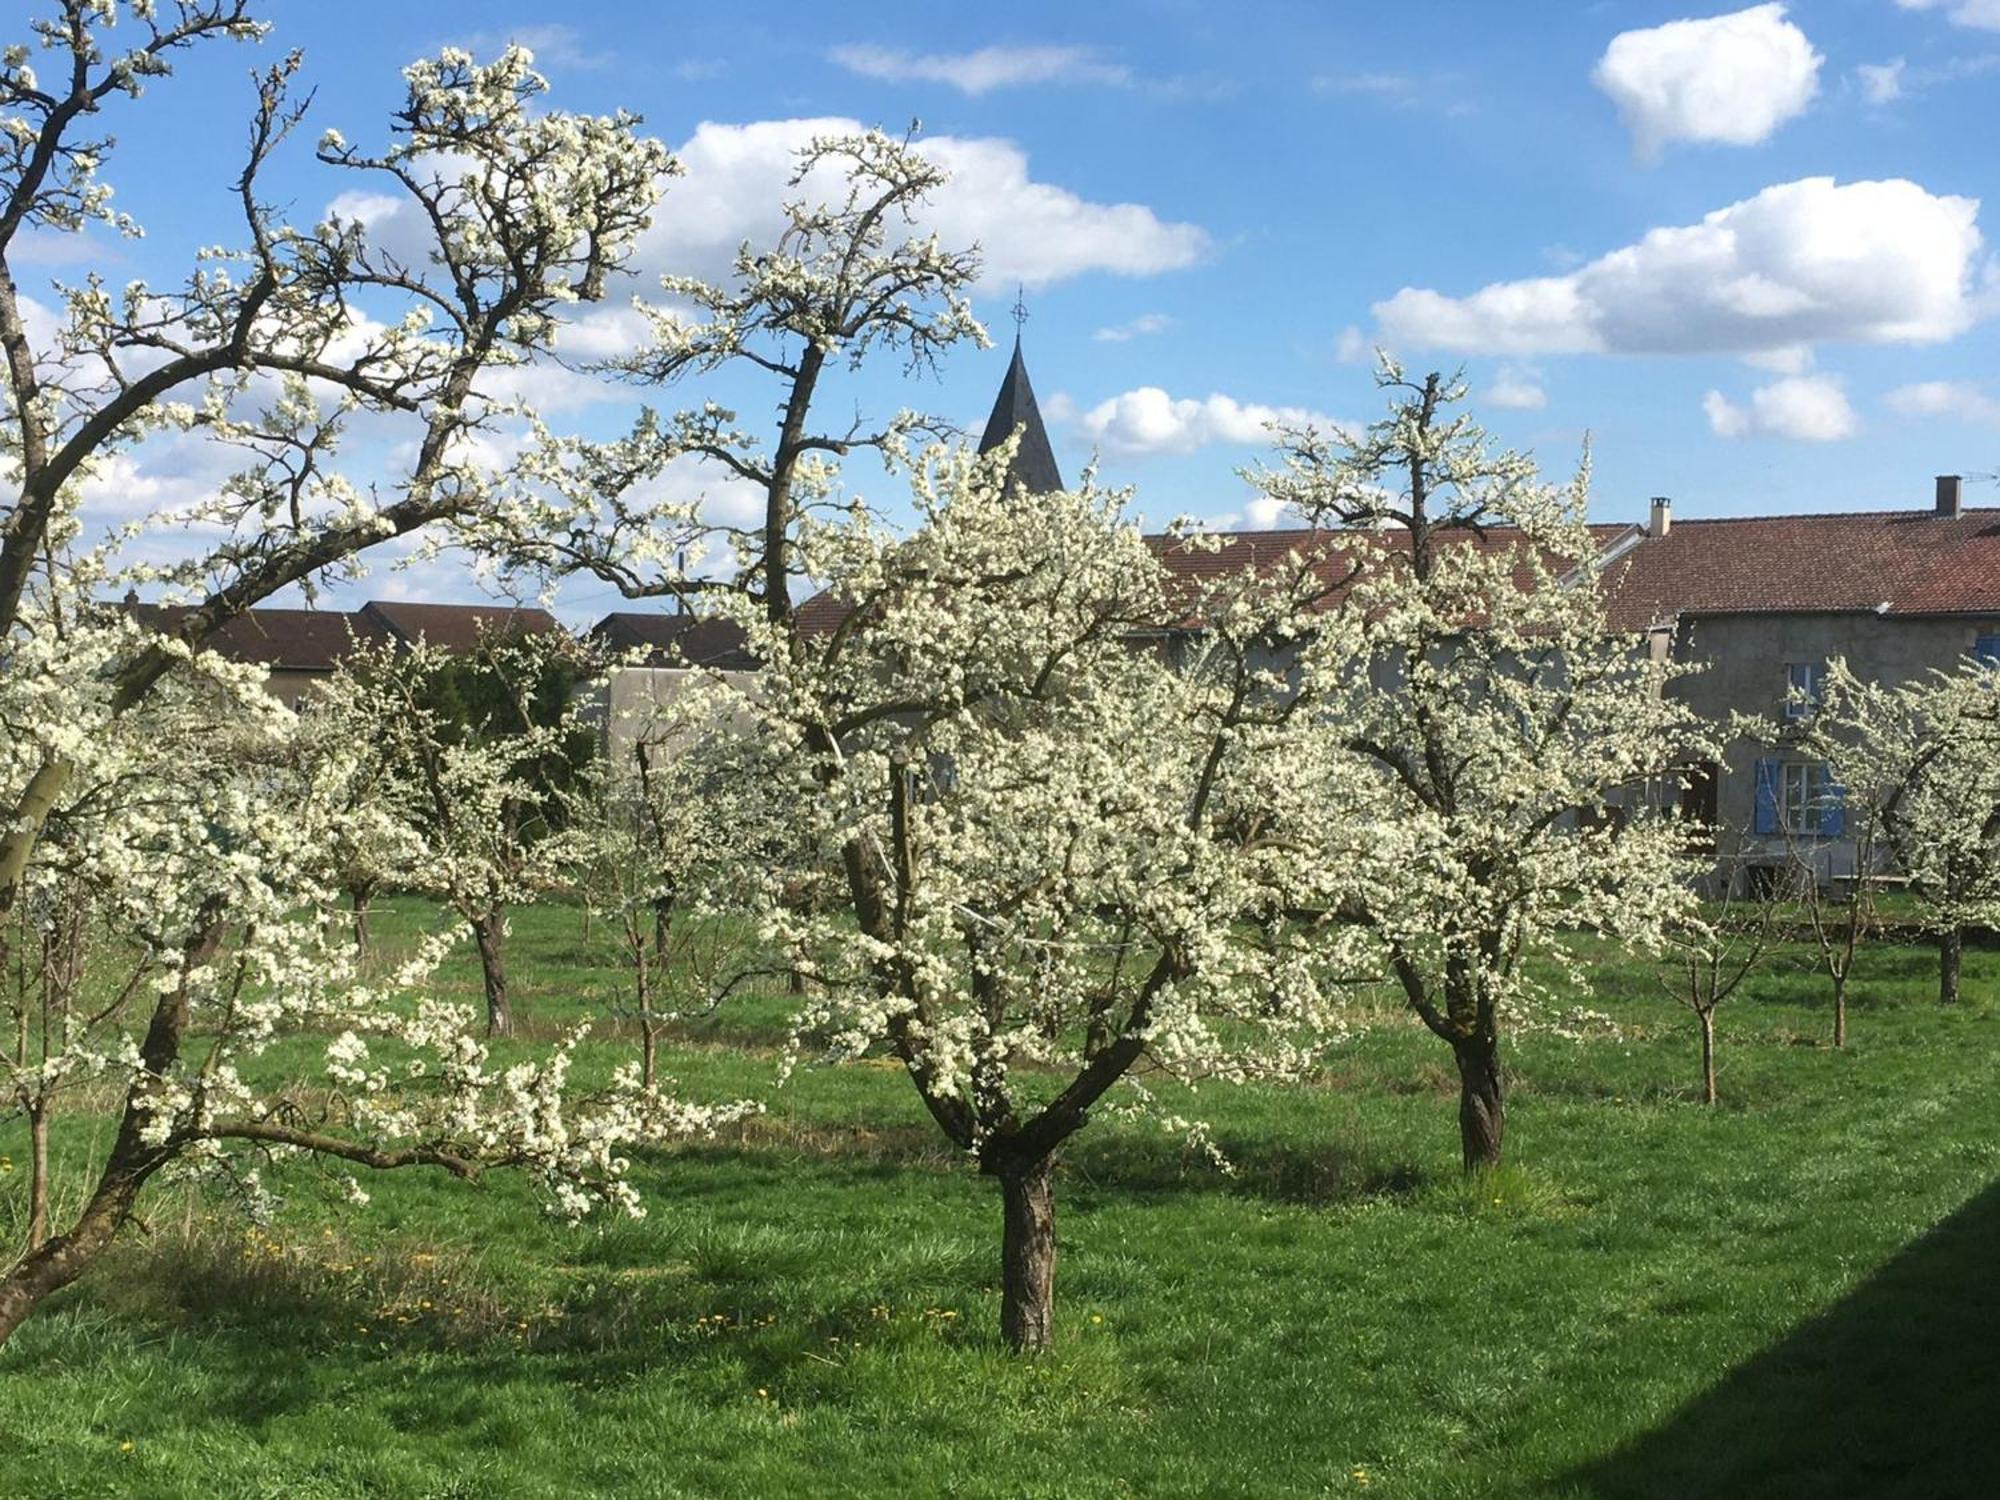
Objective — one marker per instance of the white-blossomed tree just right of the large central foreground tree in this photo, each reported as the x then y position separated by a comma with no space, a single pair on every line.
1513,741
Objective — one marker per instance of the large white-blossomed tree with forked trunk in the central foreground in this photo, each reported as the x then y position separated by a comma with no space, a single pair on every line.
1049,861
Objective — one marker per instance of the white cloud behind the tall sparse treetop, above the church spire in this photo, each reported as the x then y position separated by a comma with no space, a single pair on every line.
1027,231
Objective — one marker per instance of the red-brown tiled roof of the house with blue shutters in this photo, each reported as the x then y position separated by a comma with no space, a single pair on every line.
1895,563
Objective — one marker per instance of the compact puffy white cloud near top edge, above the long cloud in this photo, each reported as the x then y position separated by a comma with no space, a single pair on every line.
1727,79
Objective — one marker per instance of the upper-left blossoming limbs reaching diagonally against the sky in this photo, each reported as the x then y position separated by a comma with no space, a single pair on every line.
281,343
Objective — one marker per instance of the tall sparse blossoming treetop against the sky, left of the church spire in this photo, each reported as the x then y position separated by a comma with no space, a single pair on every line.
845,283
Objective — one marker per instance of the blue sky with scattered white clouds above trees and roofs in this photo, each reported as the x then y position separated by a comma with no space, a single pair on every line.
1219,207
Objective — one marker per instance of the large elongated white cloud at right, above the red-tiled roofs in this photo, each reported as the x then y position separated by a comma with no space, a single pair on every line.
1803,263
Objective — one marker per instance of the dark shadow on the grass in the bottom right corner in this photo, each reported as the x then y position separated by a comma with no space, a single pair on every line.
1889,1393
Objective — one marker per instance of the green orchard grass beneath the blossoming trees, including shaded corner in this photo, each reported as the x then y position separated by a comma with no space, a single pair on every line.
1787,1295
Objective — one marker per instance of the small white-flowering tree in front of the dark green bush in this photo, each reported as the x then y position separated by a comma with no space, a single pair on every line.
475,759
